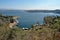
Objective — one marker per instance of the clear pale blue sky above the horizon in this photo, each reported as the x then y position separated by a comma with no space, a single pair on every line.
30,4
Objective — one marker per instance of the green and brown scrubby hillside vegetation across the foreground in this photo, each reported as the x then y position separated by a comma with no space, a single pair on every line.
50,30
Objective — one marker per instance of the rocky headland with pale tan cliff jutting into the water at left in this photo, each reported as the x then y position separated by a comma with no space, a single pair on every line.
11,20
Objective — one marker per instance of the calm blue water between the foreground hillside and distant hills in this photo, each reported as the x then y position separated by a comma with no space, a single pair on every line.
27,19
